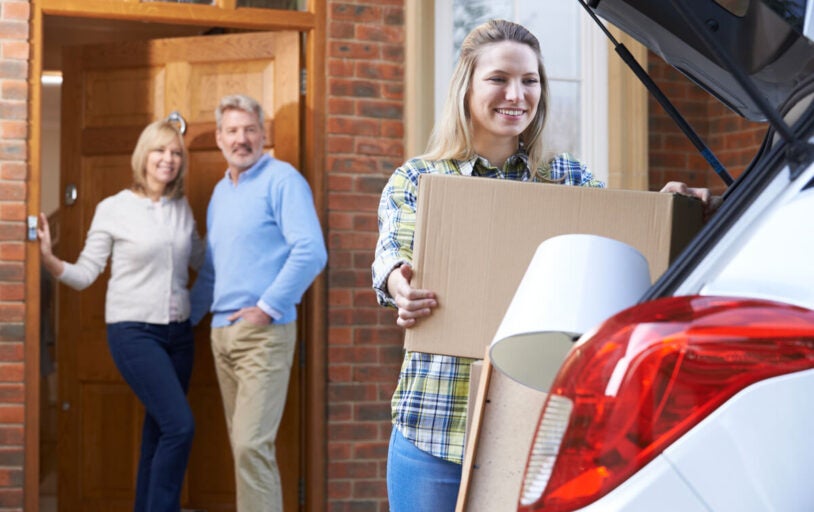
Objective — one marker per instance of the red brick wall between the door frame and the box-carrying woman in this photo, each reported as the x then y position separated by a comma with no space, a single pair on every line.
364,139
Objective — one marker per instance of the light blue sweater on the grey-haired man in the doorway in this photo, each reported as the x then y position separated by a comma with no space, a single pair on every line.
264,244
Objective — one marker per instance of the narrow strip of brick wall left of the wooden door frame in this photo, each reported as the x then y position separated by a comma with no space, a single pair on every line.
14,53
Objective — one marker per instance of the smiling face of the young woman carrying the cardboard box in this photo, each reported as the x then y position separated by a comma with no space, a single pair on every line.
504,93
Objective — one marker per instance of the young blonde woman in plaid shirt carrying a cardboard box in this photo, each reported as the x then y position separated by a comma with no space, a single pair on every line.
491,127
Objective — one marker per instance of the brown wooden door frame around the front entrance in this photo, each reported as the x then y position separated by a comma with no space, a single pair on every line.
311,23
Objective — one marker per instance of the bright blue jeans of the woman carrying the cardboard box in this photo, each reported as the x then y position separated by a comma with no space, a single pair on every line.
418,481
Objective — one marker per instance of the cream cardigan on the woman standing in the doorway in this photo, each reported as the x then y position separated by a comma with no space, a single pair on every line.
152,252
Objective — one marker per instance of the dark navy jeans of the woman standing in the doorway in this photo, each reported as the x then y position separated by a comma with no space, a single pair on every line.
156,361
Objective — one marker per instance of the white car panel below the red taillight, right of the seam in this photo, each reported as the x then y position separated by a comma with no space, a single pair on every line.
754,453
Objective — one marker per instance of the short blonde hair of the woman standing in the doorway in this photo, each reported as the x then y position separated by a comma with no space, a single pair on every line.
156,135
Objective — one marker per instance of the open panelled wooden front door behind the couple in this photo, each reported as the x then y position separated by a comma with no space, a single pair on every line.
110,93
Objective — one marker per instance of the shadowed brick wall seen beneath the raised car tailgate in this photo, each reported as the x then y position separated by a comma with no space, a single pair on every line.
733,140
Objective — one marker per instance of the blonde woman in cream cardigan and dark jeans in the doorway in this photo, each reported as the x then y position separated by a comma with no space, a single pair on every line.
149,231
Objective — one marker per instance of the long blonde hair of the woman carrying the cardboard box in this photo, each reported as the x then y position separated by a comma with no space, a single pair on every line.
452,135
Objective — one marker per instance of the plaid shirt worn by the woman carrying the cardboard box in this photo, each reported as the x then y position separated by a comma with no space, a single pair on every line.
430,401
